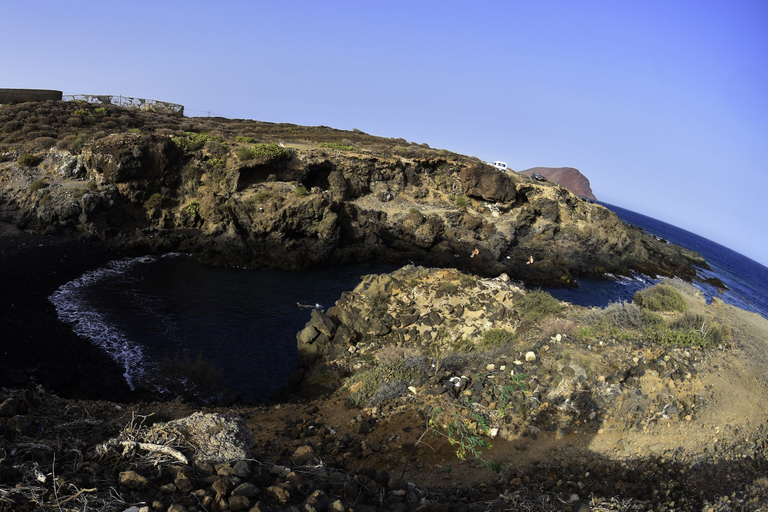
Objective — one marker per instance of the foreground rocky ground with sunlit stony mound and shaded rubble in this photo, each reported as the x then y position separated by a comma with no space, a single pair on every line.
541,421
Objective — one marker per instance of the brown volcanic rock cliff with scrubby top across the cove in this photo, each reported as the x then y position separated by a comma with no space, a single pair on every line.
253,194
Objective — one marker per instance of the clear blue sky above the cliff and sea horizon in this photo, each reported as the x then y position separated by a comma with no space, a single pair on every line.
662,105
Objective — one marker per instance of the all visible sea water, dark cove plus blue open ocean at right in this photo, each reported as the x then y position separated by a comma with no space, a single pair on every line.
245,322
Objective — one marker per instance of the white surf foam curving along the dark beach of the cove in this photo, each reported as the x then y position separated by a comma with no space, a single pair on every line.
72,308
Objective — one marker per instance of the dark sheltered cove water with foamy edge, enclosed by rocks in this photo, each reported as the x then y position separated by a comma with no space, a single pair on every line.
244,321
